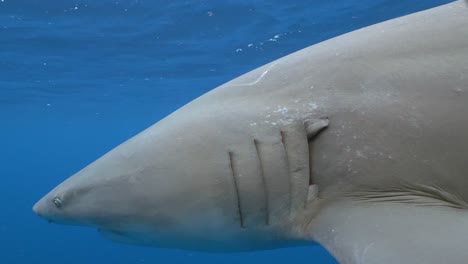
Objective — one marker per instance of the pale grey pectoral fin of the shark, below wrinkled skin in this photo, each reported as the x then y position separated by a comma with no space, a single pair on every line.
386,233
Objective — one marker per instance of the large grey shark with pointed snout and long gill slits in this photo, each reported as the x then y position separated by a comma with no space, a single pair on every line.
358,143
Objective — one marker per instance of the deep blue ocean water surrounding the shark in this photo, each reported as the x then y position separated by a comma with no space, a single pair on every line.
79,77
